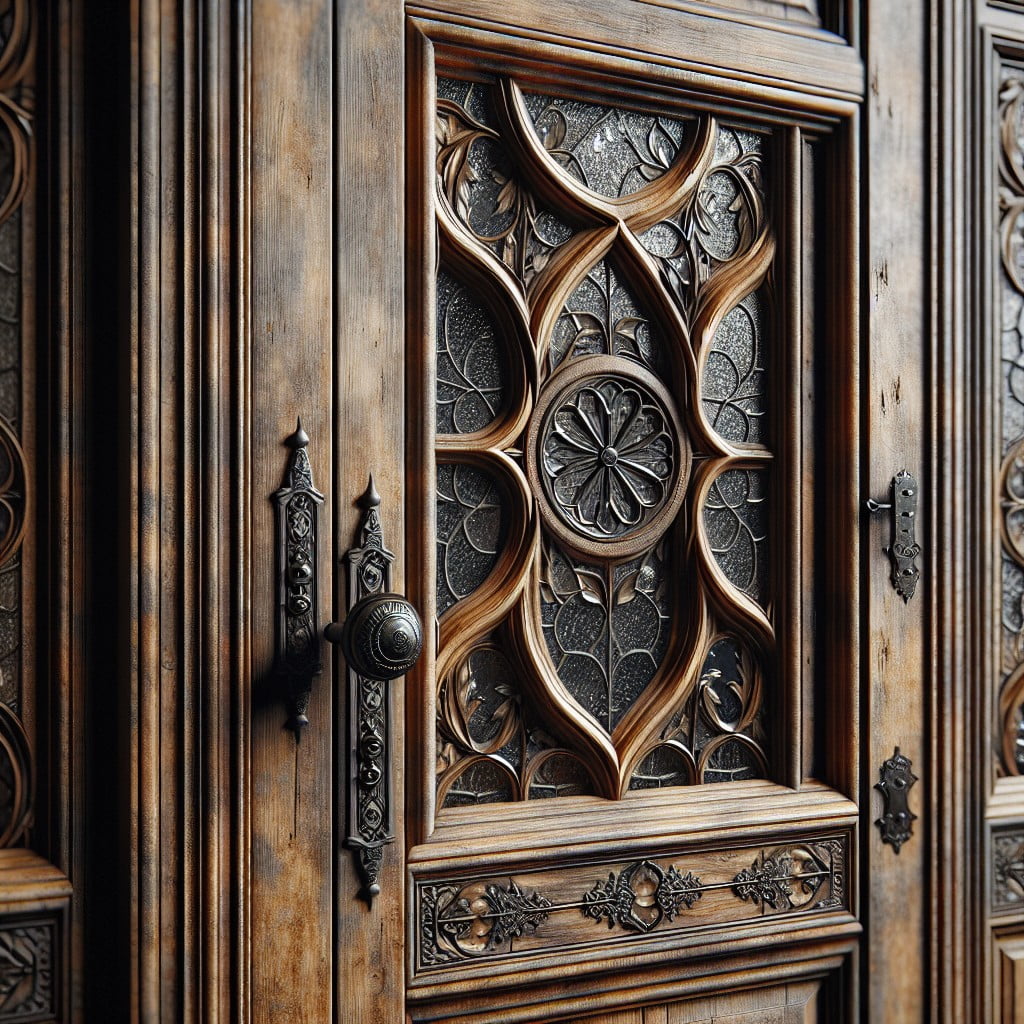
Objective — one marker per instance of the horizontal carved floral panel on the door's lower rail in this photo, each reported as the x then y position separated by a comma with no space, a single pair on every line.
550,911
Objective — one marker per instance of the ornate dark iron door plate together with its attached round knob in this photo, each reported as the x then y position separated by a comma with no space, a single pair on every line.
381,638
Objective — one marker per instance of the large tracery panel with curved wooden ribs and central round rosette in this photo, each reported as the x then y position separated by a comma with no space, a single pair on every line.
602,465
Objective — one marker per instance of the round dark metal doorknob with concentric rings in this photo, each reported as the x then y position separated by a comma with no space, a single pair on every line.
382,636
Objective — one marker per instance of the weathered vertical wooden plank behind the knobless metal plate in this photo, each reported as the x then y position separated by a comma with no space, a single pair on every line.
290,361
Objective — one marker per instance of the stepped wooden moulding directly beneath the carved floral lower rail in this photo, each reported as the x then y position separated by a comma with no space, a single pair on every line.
804,952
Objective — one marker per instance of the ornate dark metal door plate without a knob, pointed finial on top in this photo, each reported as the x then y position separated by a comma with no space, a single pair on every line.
298,644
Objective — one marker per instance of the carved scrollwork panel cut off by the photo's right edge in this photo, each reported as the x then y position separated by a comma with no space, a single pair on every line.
1011,479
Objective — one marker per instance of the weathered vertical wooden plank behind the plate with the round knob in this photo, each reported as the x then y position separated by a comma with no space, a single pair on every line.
370,420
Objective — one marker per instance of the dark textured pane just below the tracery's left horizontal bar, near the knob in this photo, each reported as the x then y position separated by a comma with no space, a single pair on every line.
471,530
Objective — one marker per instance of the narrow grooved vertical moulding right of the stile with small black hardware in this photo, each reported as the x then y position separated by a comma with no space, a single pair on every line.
958,951
